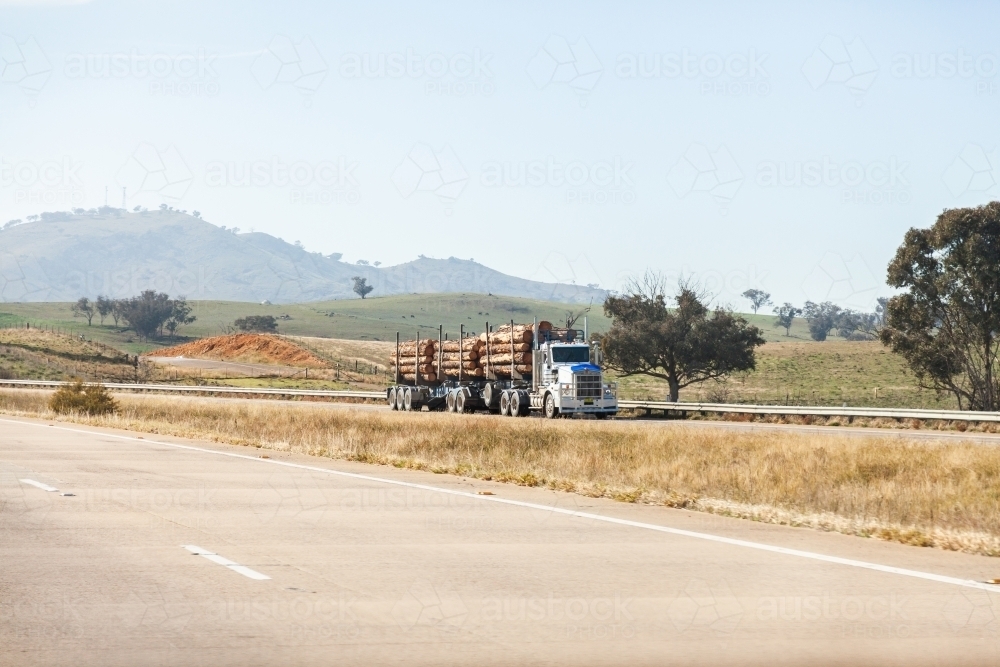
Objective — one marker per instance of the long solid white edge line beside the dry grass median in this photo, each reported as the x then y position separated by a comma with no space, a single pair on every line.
954,581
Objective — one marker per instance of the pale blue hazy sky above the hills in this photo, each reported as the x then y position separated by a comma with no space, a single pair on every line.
777,146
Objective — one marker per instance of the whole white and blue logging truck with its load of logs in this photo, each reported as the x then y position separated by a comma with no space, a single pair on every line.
555,372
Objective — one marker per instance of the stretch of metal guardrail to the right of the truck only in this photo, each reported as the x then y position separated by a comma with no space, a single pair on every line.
813,411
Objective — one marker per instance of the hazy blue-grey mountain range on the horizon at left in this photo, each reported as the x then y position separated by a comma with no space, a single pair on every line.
63,256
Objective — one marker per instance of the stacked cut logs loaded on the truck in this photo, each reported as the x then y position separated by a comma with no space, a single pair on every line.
496,350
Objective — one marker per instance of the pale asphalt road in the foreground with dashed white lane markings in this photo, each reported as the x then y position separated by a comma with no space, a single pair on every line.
172,552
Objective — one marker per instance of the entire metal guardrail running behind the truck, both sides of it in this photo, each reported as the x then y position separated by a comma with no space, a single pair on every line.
731,408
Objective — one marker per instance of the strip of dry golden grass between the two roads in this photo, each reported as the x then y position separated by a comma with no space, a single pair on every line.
944,495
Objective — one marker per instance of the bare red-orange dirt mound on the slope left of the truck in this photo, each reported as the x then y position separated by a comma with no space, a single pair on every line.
249,348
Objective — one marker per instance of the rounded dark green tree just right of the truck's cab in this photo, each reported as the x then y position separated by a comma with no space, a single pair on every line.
683,345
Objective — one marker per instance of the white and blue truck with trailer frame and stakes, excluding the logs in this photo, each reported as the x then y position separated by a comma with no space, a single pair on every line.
565,379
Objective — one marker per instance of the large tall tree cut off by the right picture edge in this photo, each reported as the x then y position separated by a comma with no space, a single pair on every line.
947,322
